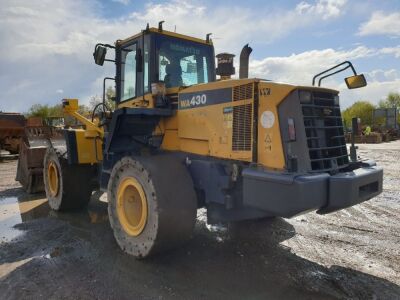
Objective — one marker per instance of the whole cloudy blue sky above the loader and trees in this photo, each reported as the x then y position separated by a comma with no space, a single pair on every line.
47,45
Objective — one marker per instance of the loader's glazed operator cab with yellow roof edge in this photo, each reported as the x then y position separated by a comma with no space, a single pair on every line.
161,56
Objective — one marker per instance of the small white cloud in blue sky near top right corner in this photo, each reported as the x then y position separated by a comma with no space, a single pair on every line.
382,23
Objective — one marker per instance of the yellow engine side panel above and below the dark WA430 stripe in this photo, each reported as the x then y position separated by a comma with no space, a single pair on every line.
205,130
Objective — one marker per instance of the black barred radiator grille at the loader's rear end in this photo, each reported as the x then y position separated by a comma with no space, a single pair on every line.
324,131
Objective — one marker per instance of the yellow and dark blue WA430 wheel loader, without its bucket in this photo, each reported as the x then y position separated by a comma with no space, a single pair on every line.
181,139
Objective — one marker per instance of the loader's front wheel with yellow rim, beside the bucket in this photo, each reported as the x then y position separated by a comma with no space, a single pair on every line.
67,186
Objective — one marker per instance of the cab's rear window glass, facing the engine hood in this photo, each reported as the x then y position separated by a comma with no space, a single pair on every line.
184,63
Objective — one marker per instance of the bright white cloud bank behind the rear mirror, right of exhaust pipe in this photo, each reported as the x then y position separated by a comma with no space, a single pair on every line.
299,69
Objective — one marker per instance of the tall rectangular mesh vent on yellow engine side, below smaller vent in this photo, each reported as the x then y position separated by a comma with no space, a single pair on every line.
241,127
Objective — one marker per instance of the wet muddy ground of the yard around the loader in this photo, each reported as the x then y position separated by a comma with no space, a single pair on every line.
351,254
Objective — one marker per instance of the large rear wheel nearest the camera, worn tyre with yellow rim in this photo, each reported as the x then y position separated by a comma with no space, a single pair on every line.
152,204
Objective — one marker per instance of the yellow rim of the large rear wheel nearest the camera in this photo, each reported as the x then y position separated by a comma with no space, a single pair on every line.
131,206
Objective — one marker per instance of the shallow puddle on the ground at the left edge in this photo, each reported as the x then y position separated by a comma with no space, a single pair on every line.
14,211
